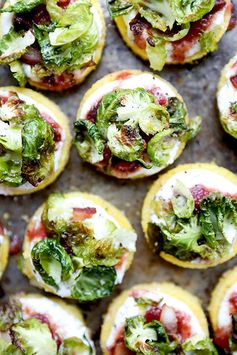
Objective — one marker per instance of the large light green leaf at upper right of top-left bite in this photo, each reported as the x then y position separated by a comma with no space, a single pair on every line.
76,21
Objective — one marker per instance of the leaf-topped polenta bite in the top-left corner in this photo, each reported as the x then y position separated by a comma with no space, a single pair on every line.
53,45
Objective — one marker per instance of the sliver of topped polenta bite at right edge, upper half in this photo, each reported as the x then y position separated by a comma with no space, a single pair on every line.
227,97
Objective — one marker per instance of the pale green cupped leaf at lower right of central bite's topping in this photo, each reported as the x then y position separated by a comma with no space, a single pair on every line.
160,146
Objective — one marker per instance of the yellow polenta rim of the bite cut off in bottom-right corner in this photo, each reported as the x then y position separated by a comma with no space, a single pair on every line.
227,280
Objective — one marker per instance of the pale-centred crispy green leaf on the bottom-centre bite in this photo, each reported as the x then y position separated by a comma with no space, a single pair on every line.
147,338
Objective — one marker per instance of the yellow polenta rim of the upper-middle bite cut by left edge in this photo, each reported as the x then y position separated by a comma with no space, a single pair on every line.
60,118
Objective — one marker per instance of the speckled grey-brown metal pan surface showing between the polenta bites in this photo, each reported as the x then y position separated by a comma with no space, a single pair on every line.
197,84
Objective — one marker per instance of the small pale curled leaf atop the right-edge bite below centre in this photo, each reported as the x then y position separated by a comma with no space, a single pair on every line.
182,201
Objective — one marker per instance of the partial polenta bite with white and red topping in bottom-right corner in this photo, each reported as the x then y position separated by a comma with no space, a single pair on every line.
223,312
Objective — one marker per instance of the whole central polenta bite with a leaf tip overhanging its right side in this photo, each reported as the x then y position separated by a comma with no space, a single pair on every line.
132,124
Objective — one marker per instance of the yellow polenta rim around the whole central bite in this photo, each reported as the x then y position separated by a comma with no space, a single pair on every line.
119,76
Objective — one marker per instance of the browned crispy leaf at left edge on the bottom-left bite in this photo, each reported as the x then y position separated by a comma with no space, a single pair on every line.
10,313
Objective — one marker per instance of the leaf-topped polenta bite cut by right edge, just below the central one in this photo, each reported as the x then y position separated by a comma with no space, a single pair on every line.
189,215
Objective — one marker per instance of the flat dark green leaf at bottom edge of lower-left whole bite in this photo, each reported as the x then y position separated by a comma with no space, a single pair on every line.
94,283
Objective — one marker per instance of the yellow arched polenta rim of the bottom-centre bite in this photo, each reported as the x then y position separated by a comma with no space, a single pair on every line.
168,288
